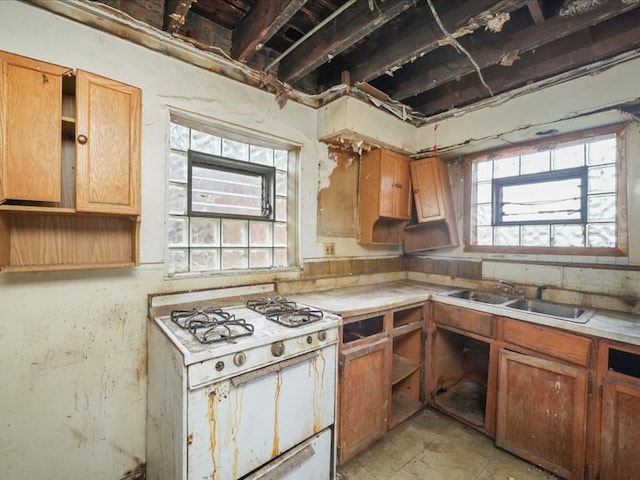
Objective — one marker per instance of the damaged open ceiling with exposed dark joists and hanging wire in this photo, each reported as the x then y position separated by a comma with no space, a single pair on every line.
426,57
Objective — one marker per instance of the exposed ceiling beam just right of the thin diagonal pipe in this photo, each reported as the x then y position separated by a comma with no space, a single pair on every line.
354,24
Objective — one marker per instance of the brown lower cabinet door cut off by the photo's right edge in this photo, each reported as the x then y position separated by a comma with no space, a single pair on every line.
620,437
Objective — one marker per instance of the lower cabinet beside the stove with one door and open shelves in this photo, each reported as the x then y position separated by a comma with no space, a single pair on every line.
379,377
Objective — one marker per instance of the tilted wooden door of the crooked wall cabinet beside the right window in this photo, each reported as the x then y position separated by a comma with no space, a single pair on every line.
429,188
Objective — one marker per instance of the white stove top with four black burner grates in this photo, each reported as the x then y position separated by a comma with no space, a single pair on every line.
209,331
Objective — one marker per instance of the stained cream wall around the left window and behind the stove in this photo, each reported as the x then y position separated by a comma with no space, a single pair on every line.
73,344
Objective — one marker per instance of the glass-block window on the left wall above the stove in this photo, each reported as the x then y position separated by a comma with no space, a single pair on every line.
229,201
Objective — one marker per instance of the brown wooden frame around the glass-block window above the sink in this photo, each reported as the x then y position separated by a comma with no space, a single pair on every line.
621,248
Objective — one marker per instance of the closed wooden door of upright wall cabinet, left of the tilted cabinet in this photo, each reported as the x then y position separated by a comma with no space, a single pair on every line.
395,186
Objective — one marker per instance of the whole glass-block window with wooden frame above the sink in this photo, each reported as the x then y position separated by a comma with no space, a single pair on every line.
560,197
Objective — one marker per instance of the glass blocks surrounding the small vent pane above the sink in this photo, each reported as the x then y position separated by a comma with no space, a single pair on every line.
598,155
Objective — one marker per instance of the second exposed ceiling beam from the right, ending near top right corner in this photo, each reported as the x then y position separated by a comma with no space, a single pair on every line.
426,77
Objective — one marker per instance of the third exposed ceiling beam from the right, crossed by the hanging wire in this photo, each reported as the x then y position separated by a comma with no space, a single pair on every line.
420,35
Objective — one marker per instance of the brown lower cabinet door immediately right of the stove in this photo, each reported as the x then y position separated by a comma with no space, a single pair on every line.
364,392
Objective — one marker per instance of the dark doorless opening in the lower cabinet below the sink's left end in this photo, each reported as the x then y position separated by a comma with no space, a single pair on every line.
461,374
